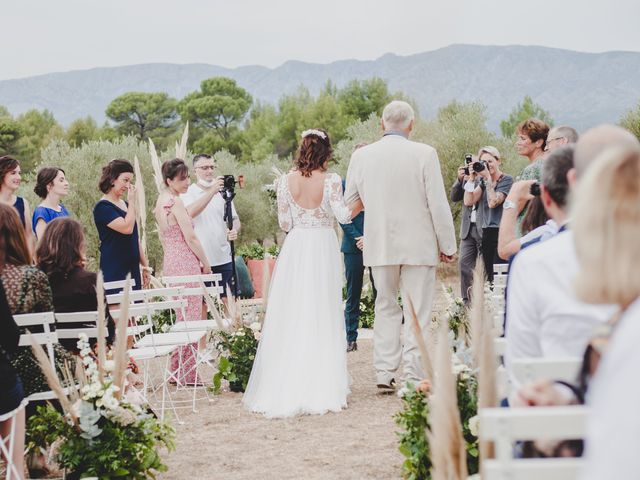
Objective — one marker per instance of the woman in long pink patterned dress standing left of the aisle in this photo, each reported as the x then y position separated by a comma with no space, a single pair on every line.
183,255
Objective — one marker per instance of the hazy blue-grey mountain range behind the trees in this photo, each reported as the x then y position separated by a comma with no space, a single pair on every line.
578,89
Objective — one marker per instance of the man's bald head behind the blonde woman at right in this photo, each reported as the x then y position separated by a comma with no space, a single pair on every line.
598,139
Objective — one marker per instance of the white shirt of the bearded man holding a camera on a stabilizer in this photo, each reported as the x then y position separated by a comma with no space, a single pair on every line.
210,227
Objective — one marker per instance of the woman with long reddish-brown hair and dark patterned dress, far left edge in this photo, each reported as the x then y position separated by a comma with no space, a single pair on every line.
27,290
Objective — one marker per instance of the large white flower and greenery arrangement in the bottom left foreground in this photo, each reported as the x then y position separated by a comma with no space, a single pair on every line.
103,432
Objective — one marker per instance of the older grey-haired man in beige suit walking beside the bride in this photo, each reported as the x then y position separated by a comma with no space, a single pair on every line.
408,229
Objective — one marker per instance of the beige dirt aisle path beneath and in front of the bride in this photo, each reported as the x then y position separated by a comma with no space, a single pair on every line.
223,441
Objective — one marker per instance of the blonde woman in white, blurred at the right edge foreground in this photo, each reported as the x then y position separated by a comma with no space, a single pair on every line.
606,236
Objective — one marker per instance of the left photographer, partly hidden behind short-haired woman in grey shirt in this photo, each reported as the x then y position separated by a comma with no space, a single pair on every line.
470,235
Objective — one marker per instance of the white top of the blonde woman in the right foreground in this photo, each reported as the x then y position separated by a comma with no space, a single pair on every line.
614,422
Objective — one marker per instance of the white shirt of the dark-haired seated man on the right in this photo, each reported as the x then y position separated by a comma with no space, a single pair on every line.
544,317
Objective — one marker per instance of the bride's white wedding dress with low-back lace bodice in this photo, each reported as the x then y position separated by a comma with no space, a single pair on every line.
301,363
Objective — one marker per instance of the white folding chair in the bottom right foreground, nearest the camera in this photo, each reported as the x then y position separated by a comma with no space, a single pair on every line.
505,426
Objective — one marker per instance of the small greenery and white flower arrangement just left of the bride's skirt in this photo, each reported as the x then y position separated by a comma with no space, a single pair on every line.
237,353
